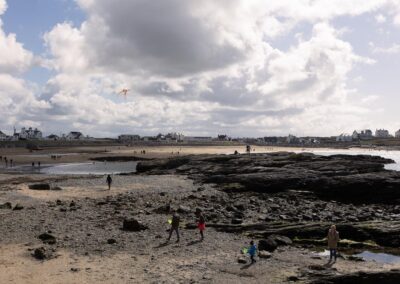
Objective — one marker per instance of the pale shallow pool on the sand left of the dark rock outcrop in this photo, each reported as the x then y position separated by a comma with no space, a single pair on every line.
97,168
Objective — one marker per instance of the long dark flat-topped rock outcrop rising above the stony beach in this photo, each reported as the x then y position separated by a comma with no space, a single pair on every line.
357,179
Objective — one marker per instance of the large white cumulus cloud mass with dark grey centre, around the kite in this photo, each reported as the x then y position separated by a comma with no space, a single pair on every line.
204,68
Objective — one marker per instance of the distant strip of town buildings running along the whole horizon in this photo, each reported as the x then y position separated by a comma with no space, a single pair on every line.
34,134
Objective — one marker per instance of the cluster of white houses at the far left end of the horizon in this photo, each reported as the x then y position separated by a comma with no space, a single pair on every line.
36,134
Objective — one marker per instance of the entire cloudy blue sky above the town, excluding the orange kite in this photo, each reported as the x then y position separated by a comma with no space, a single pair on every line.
248,68
